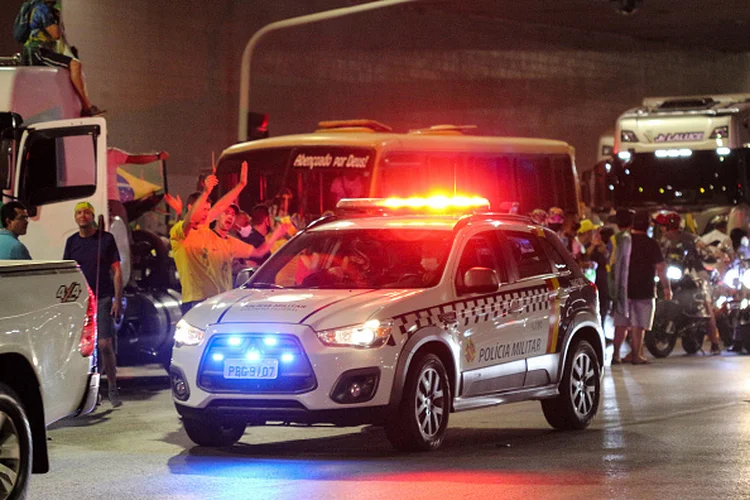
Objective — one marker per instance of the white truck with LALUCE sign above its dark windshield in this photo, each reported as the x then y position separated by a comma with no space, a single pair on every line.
684,153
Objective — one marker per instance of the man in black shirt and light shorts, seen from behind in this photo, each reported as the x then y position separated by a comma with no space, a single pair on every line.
646,261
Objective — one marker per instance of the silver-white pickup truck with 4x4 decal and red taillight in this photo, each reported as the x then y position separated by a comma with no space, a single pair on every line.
47,361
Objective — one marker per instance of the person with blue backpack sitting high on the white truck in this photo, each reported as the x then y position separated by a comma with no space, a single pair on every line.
40,49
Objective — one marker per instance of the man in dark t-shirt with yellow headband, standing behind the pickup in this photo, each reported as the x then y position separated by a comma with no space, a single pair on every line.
96,252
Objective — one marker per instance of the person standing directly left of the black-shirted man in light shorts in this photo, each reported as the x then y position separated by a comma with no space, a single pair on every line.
619,265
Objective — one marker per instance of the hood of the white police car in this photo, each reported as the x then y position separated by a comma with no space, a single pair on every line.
319,309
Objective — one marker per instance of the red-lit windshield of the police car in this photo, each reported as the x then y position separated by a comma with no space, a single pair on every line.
358,258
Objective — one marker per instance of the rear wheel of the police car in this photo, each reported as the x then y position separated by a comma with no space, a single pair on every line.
580,390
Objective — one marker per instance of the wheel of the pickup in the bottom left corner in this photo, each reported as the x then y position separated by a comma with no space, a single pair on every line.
15,446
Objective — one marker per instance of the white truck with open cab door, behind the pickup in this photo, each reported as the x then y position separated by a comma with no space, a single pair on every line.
52,159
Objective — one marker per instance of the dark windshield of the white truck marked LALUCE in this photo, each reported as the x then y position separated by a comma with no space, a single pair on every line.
685,178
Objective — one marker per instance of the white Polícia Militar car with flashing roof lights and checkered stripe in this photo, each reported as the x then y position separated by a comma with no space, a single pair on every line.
395,312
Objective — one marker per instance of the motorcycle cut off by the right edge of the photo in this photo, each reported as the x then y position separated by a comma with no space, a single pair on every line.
732,306
